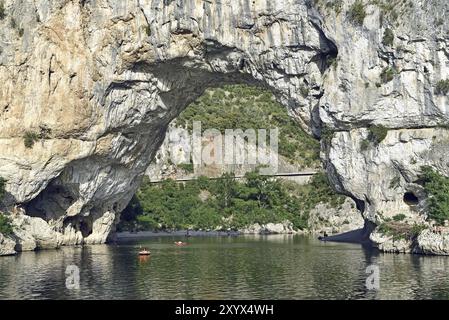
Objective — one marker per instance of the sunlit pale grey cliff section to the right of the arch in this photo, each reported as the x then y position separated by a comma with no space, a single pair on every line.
355,97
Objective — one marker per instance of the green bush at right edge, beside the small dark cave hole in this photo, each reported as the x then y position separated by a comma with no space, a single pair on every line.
437,189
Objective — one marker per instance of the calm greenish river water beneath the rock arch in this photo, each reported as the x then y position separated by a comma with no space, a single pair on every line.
257,267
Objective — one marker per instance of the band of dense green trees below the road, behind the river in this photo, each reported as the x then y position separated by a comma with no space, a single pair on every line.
225,203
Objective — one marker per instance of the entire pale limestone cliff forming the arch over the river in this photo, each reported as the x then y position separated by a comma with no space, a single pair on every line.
95,83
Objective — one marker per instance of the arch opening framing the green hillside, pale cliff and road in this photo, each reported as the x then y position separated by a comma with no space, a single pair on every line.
230,198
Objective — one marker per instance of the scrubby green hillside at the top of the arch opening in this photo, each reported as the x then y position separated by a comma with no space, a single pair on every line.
249,107
